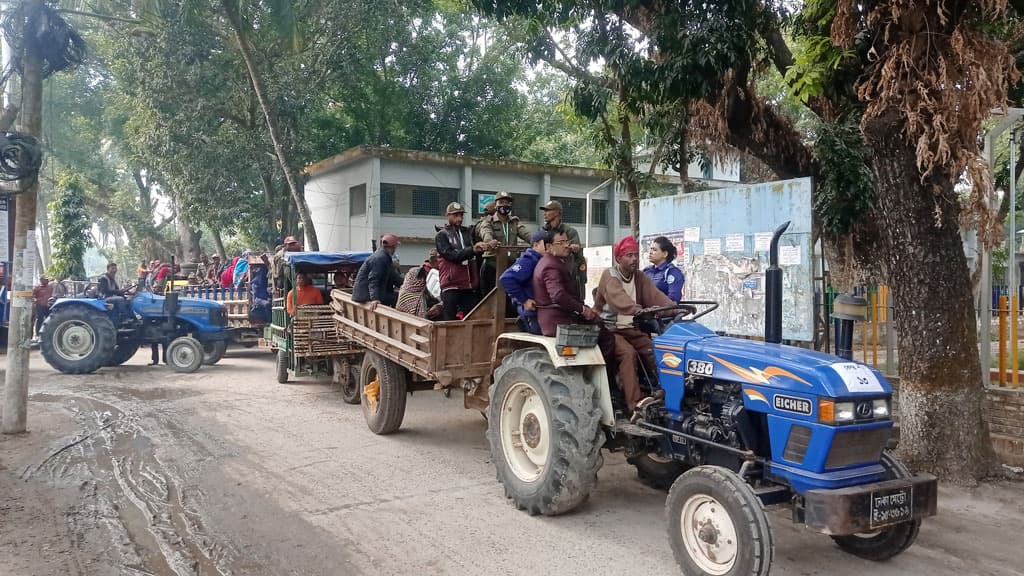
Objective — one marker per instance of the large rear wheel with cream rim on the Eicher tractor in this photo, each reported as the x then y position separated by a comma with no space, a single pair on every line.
544,428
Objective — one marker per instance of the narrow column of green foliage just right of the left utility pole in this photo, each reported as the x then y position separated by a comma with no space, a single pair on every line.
71,229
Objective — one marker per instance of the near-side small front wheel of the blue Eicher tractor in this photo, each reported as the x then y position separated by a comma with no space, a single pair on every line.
717,525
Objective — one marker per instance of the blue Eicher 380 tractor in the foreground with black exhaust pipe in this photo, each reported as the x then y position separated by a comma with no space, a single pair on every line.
743,426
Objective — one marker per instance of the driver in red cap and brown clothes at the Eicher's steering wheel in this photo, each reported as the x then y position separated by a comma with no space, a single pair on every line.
621,294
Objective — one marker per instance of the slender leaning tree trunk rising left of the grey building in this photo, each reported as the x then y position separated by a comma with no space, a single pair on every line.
241,35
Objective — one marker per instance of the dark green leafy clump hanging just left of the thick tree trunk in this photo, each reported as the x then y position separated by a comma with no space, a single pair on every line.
845,191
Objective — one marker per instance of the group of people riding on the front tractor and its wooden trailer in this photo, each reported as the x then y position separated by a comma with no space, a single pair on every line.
546,285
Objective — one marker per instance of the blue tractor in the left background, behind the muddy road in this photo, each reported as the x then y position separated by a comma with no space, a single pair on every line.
83,335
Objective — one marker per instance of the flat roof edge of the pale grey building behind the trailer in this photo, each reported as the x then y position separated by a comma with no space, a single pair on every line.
364,152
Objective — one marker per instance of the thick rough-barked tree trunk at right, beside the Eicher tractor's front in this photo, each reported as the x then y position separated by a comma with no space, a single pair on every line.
941,391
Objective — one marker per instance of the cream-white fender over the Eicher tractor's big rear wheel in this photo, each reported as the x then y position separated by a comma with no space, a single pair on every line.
588,360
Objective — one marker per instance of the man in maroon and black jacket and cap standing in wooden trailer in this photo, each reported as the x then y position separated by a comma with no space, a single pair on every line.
457,266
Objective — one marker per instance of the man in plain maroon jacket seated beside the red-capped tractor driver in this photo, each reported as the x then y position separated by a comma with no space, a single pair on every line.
556,292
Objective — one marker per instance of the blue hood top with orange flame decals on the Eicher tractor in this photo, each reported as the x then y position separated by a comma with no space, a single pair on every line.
790,368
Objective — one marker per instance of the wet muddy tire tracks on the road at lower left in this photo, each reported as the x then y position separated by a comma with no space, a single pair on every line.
153,523
